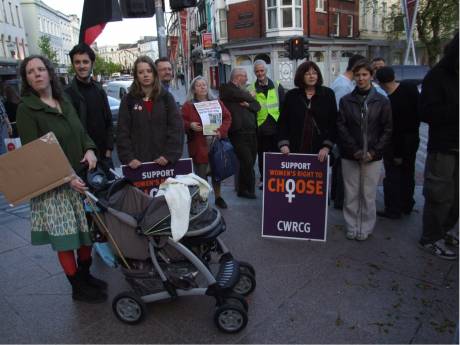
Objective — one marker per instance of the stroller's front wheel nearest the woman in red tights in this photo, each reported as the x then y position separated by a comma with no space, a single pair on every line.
128,307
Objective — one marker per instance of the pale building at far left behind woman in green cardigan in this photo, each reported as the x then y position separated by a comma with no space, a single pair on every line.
13,40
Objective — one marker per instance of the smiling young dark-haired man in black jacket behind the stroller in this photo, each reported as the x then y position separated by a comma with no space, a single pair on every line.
91,103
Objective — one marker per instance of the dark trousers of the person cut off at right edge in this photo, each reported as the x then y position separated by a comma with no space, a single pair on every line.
440,189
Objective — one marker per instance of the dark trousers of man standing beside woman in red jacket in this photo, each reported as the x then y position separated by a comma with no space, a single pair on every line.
245,146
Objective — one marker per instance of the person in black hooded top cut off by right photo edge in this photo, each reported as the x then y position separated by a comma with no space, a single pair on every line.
439,108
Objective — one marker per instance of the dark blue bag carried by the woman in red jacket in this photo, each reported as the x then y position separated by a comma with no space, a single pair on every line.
222,159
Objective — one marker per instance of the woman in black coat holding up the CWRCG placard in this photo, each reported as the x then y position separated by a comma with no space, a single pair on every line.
308,118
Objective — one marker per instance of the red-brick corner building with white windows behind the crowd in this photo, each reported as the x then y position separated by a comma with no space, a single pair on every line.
246,30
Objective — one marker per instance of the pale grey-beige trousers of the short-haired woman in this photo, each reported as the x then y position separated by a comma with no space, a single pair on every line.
360,186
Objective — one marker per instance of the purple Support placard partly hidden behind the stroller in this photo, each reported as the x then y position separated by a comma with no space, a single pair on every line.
149,176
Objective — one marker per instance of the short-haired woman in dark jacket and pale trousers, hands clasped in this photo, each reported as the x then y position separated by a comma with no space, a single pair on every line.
364,131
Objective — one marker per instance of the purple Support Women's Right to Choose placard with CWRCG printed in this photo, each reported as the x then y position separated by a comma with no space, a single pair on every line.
295,197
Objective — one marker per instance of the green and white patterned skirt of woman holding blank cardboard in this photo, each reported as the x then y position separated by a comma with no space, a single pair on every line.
58,218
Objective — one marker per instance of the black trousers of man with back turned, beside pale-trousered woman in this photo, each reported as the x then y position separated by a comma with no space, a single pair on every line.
399,184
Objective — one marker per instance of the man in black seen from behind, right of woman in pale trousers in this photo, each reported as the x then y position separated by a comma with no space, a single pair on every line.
399,160
